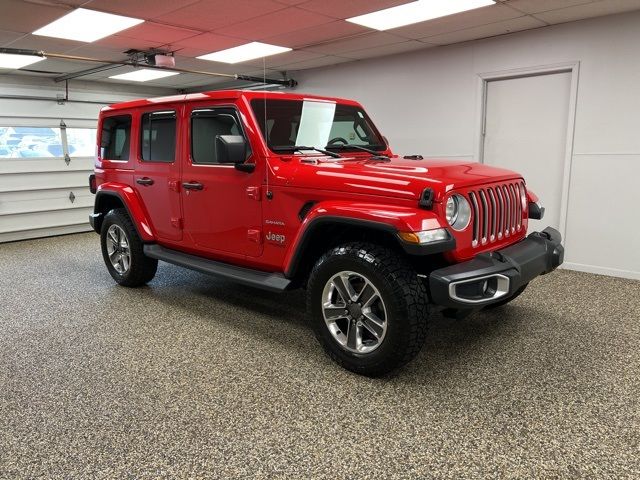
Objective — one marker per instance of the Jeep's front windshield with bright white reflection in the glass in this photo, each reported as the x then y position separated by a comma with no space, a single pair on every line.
315,123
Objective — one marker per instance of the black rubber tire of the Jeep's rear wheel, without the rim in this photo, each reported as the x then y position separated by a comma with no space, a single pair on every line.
142,268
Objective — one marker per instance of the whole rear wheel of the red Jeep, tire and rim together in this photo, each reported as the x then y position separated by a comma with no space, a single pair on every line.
122,251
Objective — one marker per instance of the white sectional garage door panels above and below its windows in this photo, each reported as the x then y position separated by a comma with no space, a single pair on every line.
35,192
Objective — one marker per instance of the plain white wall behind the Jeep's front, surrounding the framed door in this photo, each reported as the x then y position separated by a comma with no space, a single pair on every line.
428,102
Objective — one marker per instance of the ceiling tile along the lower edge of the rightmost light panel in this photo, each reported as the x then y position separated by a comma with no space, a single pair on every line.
472,18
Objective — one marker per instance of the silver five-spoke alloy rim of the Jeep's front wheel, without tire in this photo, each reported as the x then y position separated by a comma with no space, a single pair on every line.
354,312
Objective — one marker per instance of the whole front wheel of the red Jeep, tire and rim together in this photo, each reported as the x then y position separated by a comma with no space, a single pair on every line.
368,308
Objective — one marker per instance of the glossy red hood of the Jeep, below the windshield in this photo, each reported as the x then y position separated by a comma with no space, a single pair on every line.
399,177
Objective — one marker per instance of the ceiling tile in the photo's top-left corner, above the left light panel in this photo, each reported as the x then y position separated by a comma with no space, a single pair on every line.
20,16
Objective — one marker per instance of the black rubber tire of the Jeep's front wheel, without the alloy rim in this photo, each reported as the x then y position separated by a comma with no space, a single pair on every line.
404,296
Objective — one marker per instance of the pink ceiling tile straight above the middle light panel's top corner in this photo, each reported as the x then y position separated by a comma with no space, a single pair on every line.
276,23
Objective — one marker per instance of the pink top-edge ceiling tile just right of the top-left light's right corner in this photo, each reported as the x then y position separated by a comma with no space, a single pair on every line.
211,14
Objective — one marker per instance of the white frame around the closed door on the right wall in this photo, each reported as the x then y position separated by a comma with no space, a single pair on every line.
568,67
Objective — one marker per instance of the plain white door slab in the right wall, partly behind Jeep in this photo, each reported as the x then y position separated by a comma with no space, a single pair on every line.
525,130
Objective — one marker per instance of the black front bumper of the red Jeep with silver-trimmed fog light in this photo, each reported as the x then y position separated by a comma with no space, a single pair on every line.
495,276
